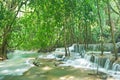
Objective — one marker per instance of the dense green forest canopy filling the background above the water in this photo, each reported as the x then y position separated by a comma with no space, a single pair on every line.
47,24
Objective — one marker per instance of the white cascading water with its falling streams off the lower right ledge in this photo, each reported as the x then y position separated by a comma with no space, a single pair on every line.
85,63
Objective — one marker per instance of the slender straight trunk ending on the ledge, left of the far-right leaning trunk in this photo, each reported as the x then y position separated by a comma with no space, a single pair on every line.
101,27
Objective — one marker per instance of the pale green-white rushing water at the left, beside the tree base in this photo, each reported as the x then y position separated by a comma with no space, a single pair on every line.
17,64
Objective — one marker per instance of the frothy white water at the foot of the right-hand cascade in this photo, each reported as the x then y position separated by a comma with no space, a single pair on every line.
84,63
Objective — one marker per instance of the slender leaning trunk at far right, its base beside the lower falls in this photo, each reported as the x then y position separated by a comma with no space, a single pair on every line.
112,31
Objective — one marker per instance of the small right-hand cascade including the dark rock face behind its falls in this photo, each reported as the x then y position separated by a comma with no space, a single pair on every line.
95,62
